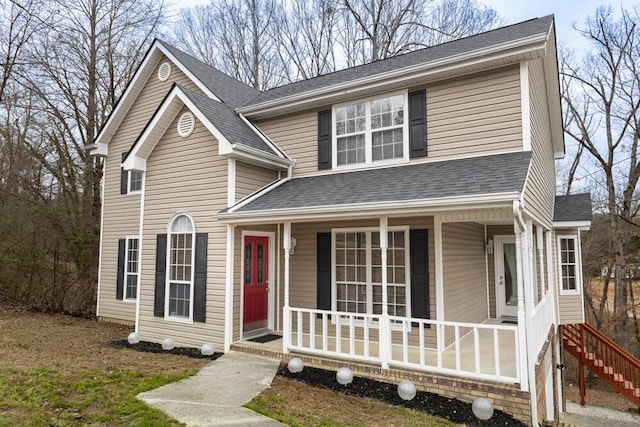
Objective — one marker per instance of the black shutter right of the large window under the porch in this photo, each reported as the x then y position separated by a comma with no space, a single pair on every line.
419,274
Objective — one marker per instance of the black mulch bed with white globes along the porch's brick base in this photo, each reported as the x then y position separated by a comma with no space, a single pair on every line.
453,410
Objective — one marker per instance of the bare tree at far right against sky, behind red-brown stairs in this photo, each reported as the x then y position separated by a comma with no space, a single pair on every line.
601,97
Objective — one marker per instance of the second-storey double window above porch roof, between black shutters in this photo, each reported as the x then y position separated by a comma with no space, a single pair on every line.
371,131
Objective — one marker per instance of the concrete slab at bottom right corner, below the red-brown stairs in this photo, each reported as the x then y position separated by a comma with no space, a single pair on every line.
593,416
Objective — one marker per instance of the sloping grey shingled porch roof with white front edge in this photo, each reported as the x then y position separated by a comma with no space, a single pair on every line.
452,183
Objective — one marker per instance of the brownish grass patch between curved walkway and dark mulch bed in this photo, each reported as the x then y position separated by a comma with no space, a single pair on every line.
297,404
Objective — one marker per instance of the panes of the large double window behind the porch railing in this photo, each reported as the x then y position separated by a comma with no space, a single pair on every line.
358,271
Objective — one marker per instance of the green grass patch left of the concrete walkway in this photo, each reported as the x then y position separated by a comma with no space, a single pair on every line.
48,397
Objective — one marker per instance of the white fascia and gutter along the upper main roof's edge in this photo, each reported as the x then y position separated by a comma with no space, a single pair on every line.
513,48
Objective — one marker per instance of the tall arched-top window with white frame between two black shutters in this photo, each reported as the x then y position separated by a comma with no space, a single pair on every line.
180,271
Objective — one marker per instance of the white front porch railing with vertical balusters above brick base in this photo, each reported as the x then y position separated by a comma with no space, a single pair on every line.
484,351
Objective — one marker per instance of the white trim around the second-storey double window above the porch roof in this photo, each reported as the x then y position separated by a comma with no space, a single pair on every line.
368,145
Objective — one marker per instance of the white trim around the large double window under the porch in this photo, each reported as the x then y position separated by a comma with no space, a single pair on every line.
369,282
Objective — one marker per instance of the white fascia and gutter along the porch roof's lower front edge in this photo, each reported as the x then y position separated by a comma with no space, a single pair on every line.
409,207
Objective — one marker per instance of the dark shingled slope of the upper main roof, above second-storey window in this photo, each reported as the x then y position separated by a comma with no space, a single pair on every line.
479,42
